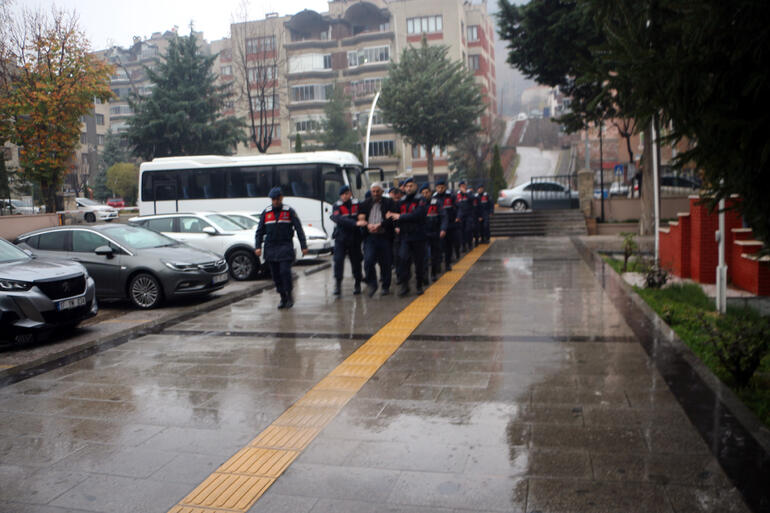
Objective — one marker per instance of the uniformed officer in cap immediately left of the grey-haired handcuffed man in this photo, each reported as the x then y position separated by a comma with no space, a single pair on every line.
347,239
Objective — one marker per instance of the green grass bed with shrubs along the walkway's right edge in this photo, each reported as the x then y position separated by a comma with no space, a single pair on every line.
685,307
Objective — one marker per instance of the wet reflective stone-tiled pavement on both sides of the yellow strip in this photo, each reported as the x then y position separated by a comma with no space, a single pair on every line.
523,390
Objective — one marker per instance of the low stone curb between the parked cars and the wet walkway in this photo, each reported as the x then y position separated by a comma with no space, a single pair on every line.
86,349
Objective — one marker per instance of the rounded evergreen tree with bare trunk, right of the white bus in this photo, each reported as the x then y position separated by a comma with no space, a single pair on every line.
430,100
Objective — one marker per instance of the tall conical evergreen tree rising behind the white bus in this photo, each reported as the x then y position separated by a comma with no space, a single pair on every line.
181,115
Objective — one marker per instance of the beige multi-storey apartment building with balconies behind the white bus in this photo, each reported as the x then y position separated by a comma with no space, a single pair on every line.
352,45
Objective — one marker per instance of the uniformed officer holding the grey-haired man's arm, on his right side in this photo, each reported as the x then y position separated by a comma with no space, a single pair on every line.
411,223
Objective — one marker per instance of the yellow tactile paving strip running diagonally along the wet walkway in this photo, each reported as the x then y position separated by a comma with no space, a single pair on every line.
241,480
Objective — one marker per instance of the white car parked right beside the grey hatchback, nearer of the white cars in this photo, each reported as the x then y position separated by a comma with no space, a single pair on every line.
214,232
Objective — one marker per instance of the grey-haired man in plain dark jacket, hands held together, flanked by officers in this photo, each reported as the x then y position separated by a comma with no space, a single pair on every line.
378,239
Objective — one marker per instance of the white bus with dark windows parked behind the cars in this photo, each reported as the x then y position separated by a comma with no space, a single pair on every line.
310,183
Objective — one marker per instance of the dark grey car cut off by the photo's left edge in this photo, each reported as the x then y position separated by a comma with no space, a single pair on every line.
38,295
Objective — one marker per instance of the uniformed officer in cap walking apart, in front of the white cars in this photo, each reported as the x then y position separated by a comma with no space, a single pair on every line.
277,225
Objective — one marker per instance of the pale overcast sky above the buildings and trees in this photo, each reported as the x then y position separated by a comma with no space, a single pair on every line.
114,22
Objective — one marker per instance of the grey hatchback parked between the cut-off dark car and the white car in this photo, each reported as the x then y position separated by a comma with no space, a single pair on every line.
132,262
